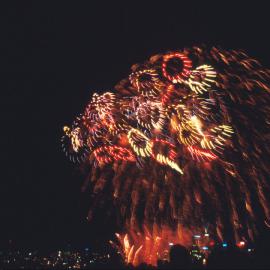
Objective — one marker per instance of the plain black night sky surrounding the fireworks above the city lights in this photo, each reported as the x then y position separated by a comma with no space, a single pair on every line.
54,55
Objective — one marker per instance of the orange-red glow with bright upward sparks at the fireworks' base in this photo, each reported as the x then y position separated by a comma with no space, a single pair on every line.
149,247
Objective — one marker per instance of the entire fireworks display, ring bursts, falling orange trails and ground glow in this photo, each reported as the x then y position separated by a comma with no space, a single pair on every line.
180,147
